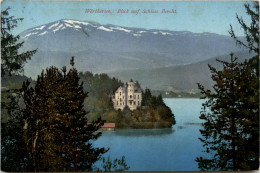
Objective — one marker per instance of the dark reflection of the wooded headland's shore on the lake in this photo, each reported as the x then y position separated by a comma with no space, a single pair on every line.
144,132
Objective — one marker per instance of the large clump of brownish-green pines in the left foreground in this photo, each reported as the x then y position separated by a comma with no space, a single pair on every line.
55,133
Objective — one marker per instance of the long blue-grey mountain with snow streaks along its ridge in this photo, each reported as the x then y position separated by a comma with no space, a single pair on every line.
104,48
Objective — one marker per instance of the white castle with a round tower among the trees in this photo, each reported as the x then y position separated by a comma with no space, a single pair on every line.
130,95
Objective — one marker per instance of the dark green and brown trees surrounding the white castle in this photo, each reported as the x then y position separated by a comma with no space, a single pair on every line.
153,113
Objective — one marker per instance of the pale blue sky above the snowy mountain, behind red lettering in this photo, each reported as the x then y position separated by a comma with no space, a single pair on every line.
194,16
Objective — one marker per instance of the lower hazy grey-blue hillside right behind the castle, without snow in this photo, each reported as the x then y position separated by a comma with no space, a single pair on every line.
178,78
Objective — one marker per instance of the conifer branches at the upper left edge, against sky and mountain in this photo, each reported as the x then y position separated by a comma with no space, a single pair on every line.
12,60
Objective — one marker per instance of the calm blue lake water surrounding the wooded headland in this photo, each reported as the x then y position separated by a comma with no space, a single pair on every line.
173,149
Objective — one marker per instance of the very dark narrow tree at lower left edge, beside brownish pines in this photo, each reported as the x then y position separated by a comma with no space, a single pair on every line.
14,155
